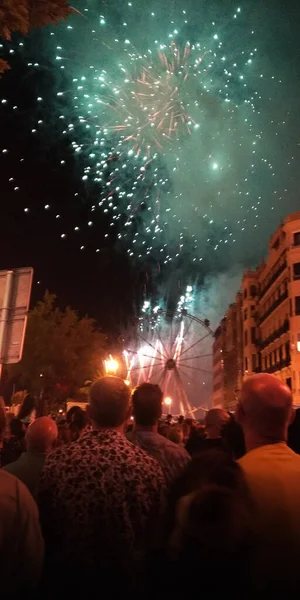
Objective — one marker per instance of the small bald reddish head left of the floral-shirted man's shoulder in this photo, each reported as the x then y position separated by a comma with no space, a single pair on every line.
41,435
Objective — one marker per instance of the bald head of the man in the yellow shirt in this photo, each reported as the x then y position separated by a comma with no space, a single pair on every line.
265,409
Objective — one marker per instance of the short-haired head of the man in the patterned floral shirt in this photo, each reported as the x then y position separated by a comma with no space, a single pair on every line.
109,402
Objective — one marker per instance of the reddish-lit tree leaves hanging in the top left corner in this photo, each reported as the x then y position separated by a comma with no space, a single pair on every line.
22,15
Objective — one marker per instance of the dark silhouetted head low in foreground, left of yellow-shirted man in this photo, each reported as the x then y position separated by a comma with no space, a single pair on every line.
210,516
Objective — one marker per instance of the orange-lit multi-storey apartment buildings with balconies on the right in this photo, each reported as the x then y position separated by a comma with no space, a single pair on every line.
269,314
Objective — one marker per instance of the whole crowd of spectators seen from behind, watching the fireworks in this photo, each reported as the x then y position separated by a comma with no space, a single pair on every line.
118,500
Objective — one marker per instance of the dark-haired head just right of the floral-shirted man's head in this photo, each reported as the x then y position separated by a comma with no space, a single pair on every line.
147,404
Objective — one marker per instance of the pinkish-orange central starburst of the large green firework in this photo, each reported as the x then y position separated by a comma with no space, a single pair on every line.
157,104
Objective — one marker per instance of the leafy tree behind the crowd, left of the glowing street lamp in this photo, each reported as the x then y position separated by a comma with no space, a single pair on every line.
61,351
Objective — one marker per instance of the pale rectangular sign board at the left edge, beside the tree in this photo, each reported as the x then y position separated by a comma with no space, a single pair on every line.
15,290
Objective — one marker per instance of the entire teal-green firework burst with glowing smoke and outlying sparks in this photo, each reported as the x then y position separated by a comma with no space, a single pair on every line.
170,110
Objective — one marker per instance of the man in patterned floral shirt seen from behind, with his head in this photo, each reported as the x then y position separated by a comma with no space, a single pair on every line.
100,501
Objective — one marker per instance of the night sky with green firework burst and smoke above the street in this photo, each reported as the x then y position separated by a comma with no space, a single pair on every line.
111,211
